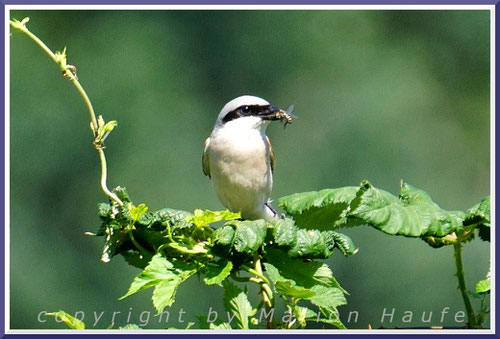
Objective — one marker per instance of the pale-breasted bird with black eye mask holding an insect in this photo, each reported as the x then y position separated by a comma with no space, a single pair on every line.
239,159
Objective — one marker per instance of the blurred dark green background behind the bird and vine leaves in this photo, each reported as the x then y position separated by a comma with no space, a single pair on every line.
380,95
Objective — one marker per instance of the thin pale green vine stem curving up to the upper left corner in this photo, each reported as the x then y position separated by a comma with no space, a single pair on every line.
69,72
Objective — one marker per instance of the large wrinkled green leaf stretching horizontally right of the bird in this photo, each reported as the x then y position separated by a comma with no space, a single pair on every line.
412,214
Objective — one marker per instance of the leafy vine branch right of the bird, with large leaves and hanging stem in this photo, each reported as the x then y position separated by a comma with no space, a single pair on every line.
411,214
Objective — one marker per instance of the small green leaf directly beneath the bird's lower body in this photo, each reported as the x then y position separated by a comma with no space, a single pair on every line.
249,236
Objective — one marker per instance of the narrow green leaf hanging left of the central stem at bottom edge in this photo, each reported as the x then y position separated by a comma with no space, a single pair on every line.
237,304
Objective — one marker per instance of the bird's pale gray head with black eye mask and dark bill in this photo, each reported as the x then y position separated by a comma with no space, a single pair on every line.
247,107
